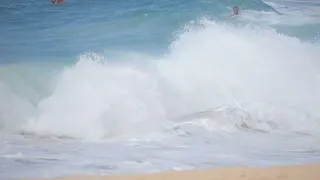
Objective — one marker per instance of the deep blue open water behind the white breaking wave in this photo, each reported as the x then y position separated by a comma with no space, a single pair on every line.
38,31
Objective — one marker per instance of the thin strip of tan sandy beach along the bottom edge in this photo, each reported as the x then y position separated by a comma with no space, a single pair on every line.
294,172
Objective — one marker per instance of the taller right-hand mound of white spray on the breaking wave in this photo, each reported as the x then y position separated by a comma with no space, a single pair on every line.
222,64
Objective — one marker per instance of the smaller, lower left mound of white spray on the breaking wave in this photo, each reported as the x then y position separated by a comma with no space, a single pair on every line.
93,99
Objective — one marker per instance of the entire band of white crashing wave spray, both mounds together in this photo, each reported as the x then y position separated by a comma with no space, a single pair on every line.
229,77
